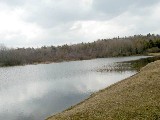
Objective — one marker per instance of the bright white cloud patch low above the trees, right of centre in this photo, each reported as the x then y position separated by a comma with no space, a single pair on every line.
93,30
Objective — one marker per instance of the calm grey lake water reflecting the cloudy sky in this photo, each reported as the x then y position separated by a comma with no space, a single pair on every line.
34,92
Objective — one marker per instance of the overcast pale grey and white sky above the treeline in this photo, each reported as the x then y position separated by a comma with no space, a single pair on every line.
34,23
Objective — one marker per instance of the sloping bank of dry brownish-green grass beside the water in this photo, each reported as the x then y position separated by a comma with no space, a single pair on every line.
136,97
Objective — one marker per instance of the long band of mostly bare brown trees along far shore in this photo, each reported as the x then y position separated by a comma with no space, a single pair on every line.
126,46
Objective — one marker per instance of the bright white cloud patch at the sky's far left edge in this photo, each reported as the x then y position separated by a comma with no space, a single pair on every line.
14,29
